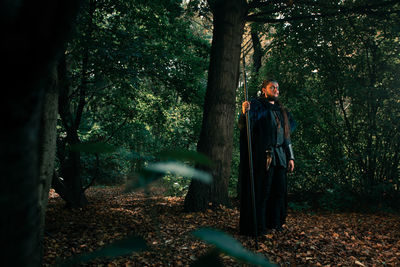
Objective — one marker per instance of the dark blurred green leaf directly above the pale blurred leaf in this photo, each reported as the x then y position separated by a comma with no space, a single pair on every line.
185,155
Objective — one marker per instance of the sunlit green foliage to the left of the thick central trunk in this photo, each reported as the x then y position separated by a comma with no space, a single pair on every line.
140,69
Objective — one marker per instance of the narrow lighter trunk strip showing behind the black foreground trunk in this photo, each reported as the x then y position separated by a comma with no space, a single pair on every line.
47,145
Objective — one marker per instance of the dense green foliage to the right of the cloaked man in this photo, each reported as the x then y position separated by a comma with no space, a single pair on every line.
338,77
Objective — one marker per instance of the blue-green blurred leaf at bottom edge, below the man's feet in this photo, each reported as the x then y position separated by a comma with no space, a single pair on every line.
230,246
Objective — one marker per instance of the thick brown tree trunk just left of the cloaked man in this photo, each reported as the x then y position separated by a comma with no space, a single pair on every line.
216,137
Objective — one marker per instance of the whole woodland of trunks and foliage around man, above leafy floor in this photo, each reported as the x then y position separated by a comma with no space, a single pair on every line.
101,90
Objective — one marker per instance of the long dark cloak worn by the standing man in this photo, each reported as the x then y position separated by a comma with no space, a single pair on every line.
266,135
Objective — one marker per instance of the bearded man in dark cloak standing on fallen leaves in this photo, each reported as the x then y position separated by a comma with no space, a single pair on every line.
272,158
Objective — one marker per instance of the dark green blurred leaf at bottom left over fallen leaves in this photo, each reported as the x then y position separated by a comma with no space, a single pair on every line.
119,248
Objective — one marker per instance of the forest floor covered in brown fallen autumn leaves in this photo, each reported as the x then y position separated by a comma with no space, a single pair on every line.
310,238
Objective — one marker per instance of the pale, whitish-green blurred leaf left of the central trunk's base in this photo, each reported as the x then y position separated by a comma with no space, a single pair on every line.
181,169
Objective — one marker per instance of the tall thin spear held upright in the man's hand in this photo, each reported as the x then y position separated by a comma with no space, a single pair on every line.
253,198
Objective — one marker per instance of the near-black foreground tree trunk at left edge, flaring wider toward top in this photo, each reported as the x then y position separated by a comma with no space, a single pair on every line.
33,34
